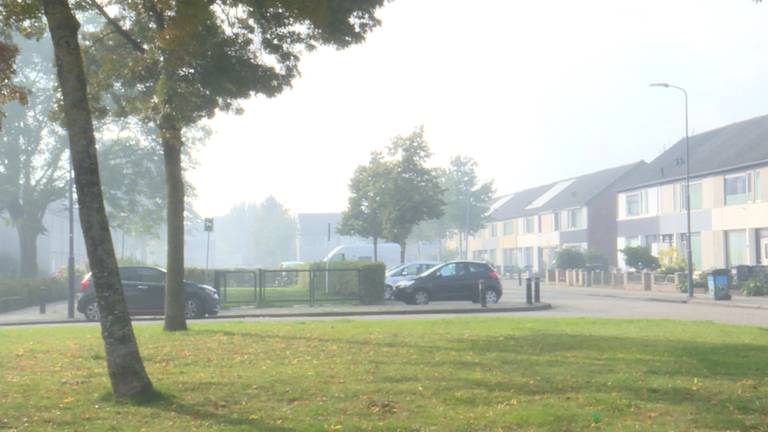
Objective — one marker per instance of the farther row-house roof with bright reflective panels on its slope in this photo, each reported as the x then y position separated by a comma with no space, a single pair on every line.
565,194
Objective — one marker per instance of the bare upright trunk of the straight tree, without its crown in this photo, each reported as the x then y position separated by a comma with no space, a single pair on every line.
170,136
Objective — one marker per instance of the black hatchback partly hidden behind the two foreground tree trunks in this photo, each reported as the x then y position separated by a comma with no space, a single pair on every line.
144,290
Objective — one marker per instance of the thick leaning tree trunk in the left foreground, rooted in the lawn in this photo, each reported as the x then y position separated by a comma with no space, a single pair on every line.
126,370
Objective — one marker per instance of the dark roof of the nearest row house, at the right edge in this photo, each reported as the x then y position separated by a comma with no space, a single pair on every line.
728,148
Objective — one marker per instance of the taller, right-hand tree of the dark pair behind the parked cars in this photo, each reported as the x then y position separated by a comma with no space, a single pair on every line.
414,193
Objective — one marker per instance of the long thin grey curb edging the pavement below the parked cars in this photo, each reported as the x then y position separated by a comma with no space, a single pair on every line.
319,314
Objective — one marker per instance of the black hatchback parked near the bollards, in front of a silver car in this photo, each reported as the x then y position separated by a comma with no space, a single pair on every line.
456,280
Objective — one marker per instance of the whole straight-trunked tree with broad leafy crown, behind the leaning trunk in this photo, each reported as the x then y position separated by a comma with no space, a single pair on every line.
173,63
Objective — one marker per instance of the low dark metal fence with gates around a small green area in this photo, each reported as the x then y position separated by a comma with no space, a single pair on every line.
287,287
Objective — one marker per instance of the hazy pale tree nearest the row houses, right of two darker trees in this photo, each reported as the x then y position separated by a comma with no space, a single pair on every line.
467,201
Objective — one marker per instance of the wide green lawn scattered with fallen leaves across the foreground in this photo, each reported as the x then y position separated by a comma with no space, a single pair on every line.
468,374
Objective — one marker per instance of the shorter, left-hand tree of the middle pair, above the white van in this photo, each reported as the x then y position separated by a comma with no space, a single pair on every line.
366,205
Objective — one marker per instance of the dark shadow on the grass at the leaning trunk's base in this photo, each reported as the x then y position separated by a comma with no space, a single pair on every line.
162,401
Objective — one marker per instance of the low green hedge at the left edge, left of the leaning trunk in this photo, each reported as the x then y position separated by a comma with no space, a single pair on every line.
28,291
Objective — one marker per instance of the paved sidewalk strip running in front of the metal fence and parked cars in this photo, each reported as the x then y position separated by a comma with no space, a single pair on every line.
57,312
